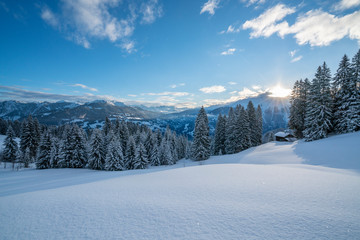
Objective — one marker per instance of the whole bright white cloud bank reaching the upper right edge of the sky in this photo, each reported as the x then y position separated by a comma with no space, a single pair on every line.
316,28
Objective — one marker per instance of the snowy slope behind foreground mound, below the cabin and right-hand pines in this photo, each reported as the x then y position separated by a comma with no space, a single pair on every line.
340,151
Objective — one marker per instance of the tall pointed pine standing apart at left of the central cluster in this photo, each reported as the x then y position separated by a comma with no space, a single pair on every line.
201,142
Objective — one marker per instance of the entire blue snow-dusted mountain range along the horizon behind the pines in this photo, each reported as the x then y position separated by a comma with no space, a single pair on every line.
92,114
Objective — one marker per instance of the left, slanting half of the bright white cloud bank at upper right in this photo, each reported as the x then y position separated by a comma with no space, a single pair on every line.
264,25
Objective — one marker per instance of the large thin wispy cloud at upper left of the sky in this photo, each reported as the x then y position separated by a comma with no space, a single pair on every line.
81,20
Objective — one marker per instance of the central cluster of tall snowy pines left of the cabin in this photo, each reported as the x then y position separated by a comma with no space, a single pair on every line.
238,131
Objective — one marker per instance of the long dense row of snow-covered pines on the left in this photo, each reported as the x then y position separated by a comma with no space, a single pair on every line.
117,146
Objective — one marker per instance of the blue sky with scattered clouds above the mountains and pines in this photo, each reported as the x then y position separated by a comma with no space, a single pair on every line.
184,53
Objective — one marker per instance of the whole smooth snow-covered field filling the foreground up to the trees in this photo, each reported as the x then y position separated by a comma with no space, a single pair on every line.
274,191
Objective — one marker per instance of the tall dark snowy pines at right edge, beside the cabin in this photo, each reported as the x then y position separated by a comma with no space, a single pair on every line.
327,104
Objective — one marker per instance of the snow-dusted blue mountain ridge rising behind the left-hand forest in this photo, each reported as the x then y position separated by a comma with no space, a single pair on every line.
65,112
